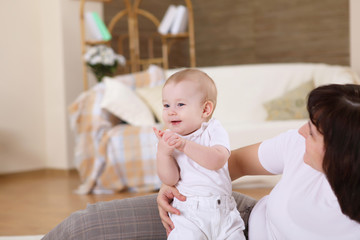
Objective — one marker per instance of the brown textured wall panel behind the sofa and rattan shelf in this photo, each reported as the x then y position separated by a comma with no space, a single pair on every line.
257,31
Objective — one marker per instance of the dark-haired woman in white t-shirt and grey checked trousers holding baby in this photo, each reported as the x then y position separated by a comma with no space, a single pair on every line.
318,196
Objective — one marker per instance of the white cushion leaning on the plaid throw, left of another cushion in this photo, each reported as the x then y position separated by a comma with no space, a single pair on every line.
122,101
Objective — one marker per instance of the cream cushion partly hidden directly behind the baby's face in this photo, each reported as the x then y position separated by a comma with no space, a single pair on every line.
152,96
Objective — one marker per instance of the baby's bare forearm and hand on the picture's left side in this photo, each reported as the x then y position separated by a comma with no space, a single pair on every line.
167,168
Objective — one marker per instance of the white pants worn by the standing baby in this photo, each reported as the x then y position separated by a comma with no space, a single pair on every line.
213,217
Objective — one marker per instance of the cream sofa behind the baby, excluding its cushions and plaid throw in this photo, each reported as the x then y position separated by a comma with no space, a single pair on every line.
244,89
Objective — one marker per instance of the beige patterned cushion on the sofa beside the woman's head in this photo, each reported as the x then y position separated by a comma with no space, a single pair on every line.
292,105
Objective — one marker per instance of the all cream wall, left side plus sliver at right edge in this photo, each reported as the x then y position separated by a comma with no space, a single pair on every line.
40,71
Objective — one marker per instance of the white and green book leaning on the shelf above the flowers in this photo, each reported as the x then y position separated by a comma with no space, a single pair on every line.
97,28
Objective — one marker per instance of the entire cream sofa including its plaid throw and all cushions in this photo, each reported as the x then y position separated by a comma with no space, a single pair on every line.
243,93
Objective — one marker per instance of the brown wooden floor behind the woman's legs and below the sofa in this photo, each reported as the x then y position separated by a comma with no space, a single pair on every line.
33,203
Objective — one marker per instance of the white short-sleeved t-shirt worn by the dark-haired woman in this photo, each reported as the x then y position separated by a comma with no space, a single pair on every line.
302,205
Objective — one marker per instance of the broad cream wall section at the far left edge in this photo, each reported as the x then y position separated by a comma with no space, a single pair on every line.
22,108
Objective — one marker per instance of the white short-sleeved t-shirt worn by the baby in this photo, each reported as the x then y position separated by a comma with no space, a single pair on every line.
196,180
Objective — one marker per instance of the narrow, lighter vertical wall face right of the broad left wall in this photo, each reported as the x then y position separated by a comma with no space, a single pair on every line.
53,70
